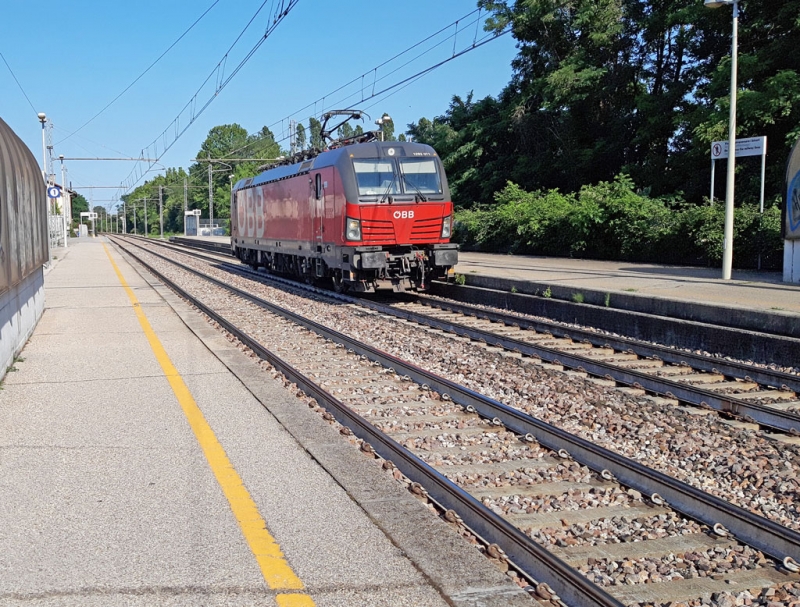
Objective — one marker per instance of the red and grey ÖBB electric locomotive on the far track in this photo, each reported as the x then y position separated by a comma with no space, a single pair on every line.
364,213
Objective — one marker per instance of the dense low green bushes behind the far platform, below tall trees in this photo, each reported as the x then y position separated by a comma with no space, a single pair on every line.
611,220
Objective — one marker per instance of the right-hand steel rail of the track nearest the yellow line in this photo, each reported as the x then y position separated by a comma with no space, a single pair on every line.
768,536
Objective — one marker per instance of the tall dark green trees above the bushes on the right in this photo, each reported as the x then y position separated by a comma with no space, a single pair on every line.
605,87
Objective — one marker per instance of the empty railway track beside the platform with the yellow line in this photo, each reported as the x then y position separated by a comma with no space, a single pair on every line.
520,483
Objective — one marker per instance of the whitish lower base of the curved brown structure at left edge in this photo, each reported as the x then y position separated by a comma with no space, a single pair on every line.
21,307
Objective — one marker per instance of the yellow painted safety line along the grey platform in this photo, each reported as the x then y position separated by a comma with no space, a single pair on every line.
276,571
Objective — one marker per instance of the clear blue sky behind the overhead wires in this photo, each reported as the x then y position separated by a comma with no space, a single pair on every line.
73,58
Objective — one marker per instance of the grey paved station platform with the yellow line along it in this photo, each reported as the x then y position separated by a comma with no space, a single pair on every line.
146,460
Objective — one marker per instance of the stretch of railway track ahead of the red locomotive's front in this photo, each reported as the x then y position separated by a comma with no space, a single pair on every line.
753,394
